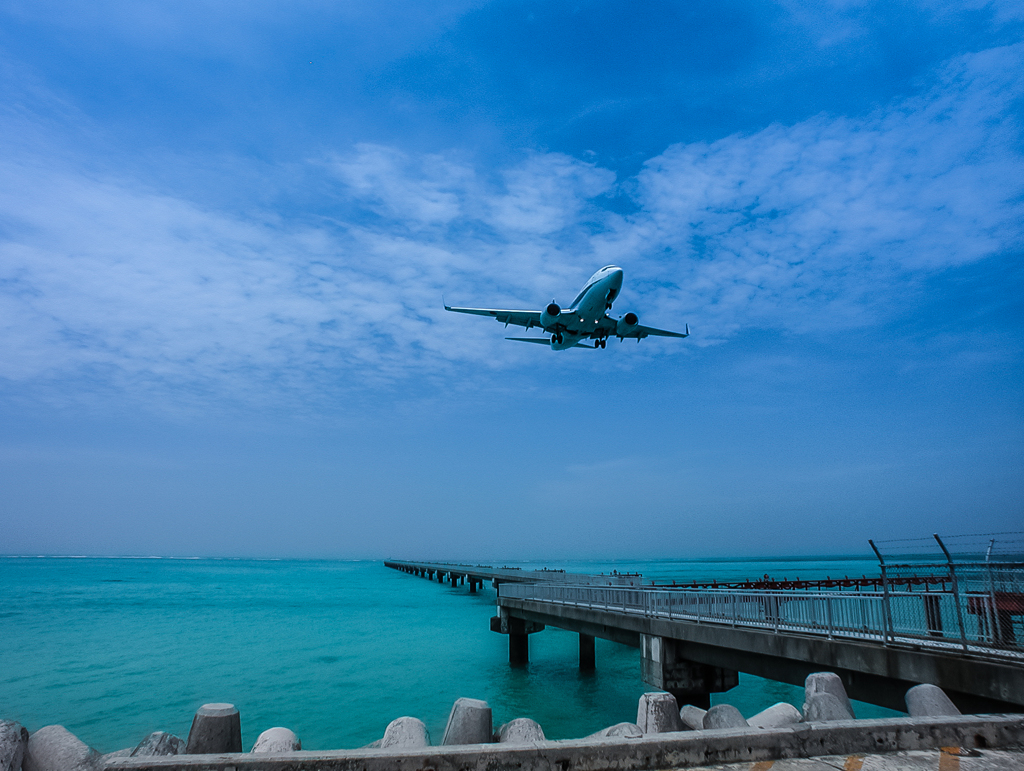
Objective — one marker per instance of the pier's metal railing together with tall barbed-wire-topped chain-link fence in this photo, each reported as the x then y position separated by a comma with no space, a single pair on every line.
929,597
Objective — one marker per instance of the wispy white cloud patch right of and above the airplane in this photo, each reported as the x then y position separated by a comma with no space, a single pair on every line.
829,224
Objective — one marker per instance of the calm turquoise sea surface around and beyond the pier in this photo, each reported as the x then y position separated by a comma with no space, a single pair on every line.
116,649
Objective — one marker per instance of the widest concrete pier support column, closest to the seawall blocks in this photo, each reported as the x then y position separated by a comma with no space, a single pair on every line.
665,666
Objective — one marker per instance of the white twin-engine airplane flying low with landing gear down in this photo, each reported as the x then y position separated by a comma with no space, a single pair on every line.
586,319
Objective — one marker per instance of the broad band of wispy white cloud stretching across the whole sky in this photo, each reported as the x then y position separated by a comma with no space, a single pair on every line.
829,224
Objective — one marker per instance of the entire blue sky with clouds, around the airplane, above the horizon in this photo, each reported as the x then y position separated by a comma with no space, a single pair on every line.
226,230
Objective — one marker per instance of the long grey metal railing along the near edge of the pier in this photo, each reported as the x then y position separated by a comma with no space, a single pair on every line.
929,619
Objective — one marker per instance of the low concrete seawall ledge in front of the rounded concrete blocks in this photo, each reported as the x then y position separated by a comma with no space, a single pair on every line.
665,751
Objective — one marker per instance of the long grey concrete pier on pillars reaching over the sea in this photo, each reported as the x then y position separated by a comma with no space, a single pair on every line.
695,642
